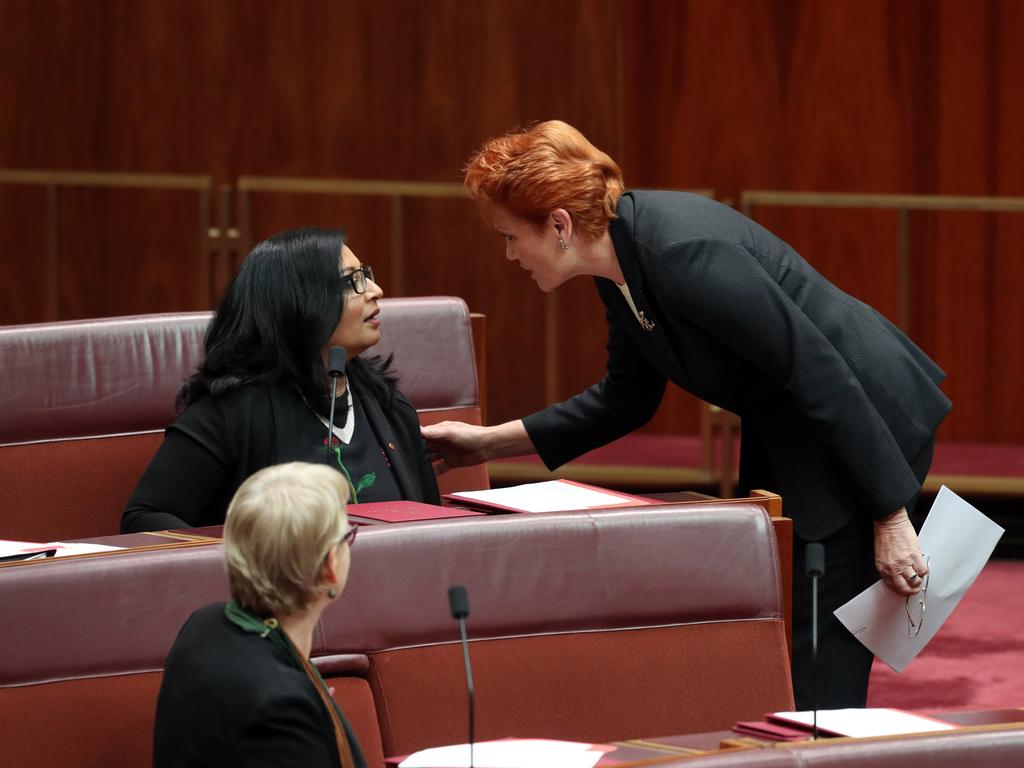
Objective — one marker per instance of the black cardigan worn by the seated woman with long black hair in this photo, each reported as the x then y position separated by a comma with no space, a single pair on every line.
218,443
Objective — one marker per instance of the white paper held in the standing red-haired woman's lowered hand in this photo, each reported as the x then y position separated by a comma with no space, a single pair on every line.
959,541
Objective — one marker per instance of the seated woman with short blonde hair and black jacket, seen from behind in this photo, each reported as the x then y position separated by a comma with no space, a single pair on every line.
239,689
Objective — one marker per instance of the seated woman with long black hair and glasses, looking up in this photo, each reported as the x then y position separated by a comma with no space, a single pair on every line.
263,397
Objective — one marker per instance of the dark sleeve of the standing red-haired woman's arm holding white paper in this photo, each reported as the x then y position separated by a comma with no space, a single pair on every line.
727,291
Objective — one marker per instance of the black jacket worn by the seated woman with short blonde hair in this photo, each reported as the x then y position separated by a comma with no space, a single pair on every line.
231,698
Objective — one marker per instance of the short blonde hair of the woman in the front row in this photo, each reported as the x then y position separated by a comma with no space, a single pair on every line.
280,528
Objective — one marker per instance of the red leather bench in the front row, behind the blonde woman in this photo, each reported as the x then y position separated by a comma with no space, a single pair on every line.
594,626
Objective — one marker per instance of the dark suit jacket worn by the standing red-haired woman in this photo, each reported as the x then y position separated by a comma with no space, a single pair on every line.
836,402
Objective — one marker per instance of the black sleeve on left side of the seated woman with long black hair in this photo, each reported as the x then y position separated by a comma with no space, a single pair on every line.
189,474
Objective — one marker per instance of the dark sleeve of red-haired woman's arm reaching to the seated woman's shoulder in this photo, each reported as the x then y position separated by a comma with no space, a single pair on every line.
624,401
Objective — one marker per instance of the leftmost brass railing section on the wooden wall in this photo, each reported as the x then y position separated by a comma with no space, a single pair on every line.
54,182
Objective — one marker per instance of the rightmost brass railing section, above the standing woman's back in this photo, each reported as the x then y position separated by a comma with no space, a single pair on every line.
903,204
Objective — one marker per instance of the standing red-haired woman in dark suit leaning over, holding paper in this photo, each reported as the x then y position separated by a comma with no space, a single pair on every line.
839,407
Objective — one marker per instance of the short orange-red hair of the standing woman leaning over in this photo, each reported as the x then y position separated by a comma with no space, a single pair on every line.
550,165
